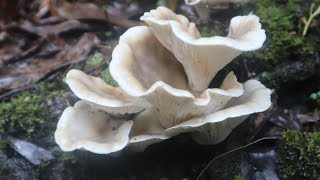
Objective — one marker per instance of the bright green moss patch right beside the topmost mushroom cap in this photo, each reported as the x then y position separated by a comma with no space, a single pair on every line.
280,25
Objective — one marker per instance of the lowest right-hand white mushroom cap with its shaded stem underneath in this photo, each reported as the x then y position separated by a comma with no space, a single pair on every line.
215,127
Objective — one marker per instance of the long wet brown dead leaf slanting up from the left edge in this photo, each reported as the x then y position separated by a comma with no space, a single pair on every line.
21,75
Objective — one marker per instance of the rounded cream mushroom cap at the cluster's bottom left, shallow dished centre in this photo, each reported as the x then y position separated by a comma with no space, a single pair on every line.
83,126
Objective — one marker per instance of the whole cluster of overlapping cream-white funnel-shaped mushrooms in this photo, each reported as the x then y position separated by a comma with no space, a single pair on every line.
165,93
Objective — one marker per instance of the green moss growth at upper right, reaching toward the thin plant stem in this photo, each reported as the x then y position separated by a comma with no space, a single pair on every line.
282,28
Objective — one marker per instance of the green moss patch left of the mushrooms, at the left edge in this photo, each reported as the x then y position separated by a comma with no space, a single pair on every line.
27,111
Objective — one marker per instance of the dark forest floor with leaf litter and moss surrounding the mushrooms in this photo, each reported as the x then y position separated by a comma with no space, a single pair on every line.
40,40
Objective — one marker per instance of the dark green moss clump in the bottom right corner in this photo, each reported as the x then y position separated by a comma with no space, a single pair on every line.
300,155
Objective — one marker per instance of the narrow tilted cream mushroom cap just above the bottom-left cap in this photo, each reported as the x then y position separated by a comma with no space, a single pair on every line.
95,91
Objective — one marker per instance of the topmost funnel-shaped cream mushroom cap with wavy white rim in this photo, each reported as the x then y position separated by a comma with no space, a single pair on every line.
203,57
